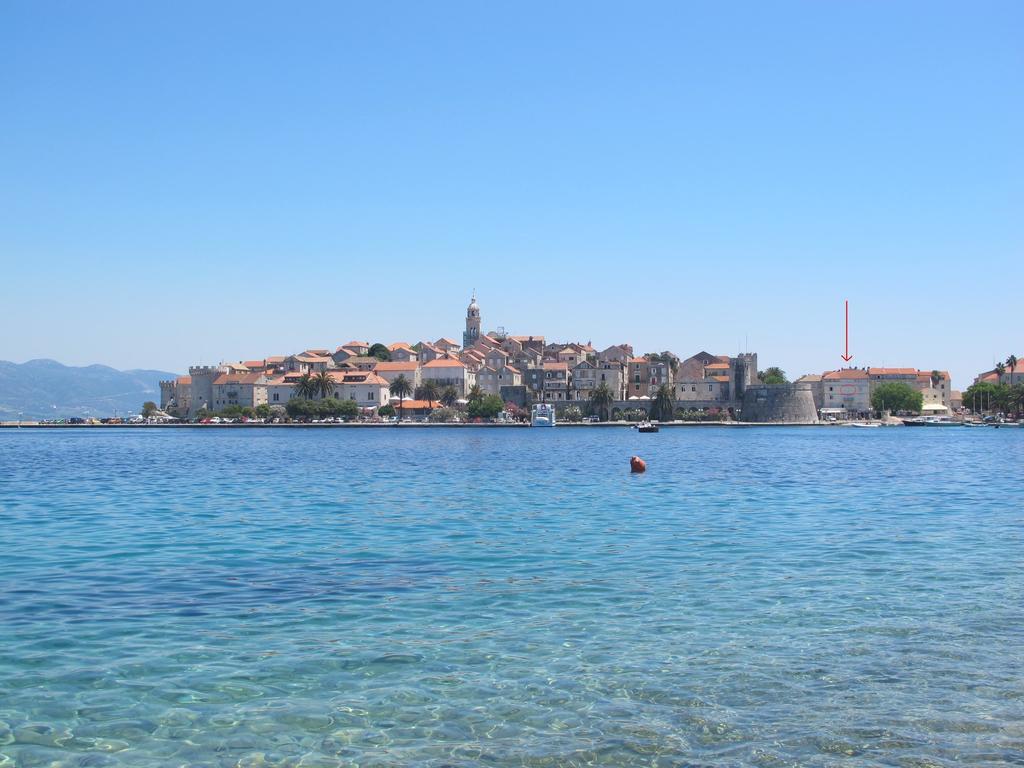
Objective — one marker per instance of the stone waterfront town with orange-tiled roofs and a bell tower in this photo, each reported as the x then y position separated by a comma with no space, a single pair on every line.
518,371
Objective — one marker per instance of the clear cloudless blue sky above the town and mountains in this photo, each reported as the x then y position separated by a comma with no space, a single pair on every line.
202,182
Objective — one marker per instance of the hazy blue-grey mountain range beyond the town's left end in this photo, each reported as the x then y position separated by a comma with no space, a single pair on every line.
47,390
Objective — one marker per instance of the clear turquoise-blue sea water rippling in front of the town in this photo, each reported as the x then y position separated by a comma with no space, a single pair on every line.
446,598
